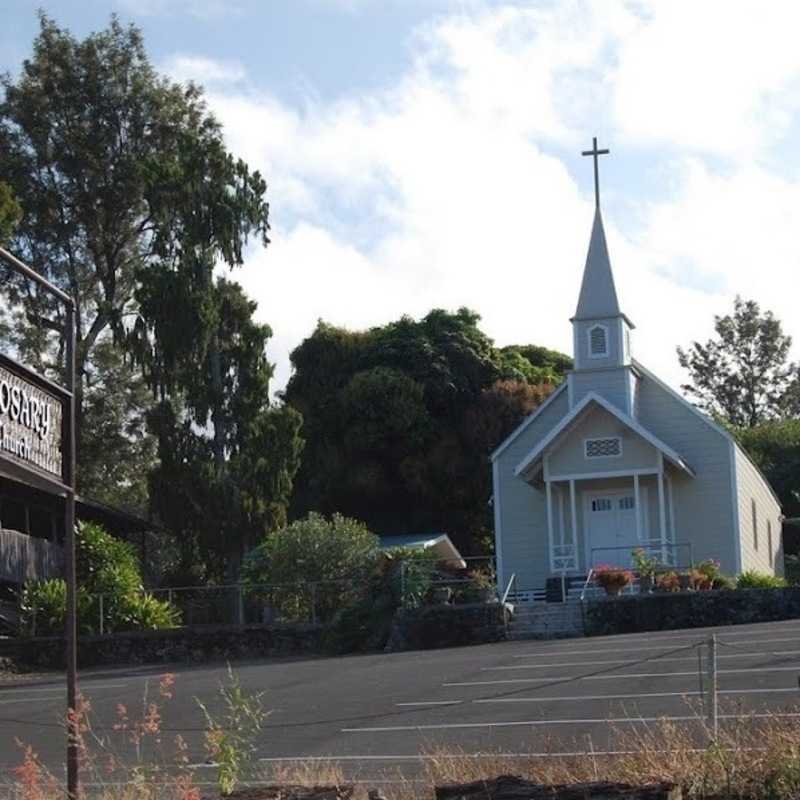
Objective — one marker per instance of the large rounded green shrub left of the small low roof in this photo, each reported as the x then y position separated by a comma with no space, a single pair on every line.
319,564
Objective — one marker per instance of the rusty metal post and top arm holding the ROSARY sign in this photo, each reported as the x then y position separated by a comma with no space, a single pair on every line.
65,486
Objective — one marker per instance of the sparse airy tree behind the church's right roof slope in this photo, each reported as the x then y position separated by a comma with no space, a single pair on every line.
744,374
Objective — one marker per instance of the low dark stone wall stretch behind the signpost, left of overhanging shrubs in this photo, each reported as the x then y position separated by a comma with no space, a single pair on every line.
179,645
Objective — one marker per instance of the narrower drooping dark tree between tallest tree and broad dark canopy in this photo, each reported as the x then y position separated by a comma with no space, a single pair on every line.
227,456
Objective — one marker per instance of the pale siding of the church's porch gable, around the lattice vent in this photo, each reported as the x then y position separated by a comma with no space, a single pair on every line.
568,456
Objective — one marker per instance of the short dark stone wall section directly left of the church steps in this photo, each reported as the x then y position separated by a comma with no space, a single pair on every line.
447,626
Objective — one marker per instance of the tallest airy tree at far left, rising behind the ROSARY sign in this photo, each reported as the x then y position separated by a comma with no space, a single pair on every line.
124,178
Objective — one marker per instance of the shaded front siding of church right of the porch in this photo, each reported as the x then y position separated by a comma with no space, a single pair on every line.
704,505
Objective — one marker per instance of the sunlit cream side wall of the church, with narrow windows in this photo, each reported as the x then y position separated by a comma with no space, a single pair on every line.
753,487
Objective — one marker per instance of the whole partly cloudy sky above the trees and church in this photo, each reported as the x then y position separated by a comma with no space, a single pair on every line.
426,154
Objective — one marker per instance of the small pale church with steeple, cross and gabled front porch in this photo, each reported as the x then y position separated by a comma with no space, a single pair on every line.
615,459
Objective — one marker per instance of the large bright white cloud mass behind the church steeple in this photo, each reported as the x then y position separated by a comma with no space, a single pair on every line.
450,189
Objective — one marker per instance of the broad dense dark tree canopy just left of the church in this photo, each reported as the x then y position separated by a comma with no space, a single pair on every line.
399,421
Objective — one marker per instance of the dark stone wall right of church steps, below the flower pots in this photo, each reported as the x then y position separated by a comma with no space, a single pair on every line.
661,612
